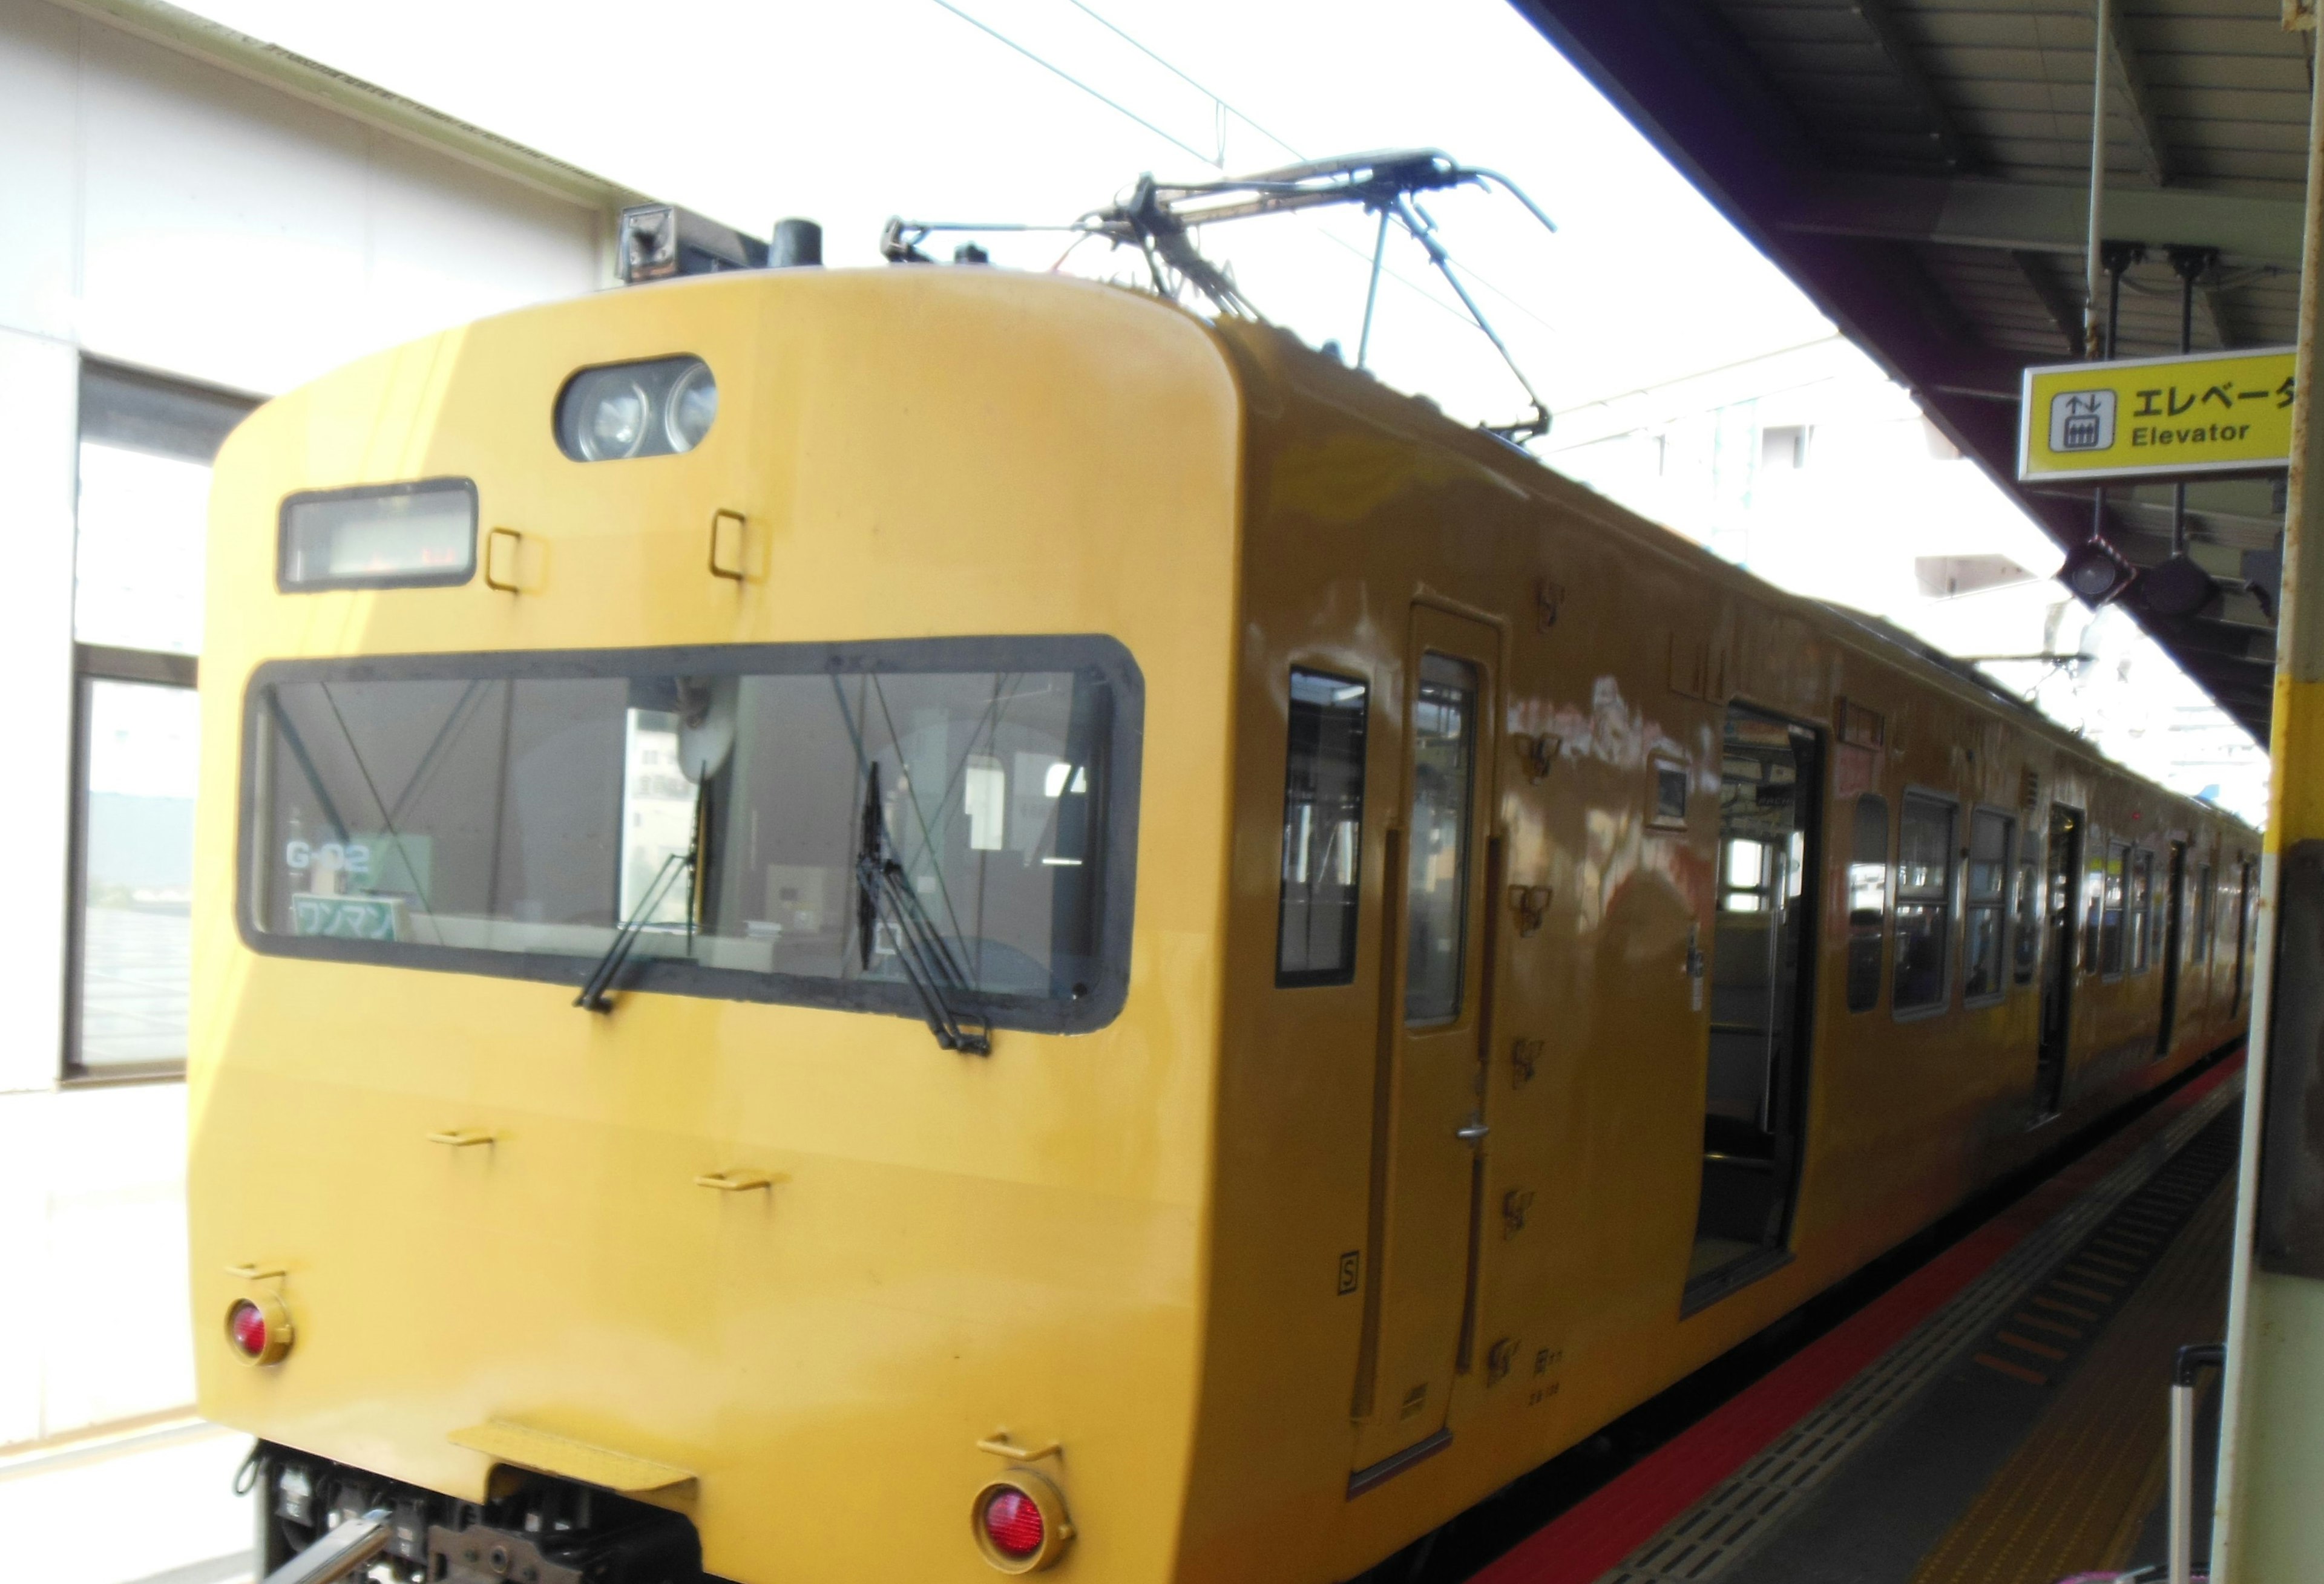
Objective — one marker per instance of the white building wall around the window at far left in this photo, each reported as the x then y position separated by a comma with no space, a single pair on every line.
187,217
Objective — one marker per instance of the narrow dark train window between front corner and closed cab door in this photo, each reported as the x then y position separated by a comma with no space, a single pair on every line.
1324,830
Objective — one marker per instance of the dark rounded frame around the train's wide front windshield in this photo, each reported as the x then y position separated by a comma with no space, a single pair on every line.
1126,740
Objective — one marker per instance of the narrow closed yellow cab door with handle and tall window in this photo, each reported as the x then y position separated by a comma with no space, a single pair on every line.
1428,1146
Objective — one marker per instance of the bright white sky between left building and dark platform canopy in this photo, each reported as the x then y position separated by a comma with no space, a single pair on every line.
752,110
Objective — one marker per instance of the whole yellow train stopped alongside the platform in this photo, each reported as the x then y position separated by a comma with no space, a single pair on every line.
889,926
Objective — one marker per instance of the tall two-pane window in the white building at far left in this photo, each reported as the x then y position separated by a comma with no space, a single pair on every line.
141,531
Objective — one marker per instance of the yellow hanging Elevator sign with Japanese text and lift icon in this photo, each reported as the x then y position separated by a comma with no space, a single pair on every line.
2158,417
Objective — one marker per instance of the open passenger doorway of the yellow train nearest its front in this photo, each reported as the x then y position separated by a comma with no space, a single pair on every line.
1763,963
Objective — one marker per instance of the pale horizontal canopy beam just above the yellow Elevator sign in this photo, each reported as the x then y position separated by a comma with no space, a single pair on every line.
2042,219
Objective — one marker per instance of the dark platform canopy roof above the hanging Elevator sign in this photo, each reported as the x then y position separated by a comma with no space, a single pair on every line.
1921,168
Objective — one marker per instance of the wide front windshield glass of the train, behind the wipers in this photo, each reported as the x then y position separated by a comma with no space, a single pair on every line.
510,814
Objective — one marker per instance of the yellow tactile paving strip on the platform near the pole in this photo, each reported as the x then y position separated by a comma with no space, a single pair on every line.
2079,1490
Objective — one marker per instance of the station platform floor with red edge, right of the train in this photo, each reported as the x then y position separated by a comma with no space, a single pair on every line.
1995,1418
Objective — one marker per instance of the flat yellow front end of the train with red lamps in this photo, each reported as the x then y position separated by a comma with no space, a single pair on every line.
710,865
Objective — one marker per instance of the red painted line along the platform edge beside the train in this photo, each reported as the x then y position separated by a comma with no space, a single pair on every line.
1593,1536
